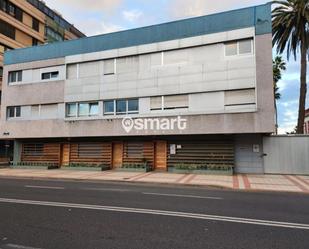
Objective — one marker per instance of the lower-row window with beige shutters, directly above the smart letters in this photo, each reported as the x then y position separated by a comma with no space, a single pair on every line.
169,102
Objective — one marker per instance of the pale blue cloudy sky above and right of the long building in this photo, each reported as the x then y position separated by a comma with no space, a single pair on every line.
104,16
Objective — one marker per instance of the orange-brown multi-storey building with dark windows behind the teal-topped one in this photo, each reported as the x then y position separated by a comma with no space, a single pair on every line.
29,23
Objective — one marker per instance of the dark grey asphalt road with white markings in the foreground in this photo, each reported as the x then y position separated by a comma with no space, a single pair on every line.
62,214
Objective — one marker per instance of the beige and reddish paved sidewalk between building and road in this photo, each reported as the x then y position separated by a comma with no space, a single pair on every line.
284,183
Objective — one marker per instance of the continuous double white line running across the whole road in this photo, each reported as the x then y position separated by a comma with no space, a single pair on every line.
162,213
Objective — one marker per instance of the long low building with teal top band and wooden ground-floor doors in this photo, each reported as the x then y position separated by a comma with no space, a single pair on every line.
195,91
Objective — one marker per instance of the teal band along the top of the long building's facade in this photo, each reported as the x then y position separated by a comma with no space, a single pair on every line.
258,16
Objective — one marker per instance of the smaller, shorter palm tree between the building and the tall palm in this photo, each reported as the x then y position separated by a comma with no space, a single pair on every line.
279,65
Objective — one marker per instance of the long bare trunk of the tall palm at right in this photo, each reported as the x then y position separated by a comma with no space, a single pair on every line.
303,90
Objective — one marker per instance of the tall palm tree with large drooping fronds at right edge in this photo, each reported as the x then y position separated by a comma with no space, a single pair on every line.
291,34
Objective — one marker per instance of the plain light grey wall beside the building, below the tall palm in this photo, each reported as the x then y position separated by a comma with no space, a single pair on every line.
286,155
